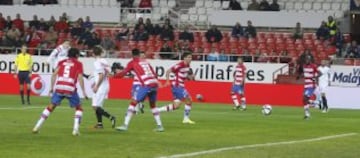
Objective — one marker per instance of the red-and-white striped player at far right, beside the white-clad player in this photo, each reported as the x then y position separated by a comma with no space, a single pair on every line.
310,78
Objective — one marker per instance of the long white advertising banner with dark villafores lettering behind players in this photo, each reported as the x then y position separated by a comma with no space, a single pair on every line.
204,71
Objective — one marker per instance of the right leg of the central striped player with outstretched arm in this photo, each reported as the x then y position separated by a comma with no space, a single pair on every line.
155,111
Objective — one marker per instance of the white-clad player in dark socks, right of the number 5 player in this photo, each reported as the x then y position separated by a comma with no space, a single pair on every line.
101,87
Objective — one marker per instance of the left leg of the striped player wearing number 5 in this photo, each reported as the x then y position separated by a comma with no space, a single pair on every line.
55,100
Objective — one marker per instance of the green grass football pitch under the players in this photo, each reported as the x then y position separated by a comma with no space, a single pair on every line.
219,132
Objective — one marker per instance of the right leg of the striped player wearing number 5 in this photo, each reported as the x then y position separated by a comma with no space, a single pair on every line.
74,101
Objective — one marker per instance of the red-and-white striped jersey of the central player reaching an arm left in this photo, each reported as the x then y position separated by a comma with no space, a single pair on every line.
142,70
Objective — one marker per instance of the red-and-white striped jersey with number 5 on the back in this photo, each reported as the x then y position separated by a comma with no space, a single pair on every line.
67,76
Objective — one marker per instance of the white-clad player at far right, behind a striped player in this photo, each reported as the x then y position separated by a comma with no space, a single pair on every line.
324,82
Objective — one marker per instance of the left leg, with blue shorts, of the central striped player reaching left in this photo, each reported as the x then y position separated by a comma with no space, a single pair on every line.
140,96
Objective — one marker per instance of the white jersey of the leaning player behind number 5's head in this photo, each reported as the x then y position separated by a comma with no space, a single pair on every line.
58,54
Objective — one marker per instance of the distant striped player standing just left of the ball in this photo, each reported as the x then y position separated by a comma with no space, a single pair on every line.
237,89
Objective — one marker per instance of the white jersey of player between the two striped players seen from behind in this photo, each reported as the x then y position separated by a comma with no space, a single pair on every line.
101,66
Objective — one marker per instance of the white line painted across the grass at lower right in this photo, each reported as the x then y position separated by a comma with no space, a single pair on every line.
258,145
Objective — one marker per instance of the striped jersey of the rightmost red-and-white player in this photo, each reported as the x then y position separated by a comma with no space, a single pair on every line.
310,73
